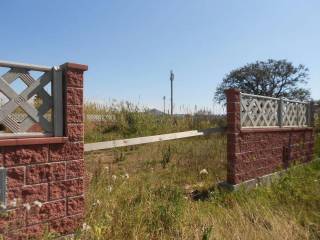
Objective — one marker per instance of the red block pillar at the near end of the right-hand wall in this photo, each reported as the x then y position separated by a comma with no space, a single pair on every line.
233,130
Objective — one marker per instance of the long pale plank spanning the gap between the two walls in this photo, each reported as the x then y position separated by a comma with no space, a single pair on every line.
150,139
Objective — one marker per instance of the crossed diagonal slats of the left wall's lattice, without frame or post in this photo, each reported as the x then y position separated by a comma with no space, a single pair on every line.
8,117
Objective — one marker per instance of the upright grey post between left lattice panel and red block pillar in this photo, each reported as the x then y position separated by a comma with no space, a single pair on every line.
57,93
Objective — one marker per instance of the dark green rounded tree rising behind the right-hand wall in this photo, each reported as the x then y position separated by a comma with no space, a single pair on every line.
274,78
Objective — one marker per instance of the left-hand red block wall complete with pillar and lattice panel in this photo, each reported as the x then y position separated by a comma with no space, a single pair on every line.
41,154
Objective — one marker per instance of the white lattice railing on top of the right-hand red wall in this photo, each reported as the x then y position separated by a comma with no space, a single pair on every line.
261,111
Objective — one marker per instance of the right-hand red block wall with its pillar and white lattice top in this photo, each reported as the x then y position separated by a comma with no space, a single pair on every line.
266,135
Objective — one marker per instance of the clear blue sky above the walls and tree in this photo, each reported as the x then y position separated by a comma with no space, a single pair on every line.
130,46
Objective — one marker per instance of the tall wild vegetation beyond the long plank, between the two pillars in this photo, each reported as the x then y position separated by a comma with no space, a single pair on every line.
125,120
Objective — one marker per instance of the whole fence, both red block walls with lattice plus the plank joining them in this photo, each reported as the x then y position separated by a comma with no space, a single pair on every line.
41,145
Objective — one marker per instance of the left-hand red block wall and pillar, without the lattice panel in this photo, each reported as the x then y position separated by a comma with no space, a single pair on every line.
45,174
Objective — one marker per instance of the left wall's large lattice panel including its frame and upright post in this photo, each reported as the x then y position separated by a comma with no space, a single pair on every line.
21,109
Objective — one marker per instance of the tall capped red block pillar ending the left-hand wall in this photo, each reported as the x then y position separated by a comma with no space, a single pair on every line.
72,188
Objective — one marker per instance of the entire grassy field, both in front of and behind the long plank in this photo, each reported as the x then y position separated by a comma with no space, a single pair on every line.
168,190
